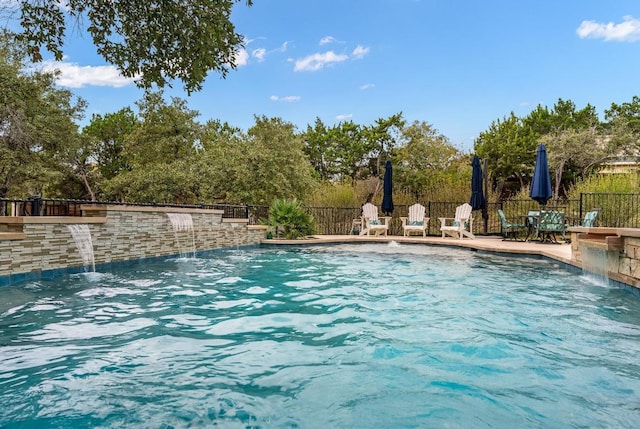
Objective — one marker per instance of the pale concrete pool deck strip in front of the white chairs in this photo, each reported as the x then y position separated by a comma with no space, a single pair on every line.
560,252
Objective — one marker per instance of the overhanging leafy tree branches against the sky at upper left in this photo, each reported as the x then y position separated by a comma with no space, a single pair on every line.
153,41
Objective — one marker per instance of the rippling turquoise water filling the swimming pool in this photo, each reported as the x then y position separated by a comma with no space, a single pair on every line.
349,336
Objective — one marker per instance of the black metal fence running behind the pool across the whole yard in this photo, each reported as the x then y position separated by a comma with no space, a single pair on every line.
616,210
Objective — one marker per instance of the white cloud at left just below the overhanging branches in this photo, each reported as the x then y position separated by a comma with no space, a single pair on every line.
73,75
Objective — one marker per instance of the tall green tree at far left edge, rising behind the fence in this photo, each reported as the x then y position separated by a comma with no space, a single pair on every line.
37,120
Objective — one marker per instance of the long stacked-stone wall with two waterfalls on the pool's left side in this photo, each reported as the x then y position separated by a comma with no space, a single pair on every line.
31,247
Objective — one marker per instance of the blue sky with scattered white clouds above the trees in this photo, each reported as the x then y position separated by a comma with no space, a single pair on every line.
456,64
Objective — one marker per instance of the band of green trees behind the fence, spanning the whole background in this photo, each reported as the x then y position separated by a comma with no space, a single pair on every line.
162,154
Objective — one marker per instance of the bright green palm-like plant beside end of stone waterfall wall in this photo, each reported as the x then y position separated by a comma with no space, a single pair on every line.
289,219
